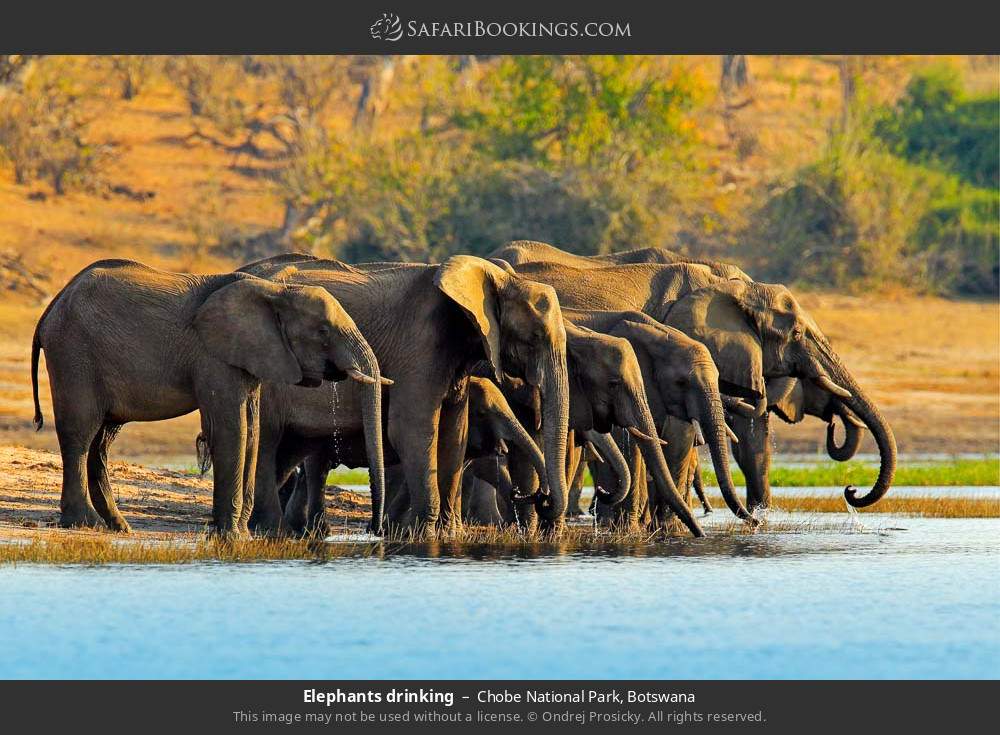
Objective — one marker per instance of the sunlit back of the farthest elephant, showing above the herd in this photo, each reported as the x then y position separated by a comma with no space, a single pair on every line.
519,252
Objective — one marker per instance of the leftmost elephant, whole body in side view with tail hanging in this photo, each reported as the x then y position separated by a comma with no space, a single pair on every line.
125,342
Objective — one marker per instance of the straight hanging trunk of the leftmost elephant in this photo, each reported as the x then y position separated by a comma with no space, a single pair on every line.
365,370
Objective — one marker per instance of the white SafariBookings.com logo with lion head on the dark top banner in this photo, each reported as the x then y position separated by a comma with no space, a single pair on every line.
390,28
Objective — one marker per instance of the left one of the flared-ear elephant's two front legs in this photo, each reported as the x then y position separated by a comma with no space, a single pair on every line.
414,436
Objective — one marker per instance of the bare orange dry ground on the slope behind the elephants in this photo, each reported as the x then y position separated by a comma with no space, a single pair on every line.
934,364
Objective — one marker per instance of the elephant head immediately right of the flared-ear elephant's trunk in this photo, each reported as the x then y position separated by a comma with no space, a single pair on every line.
607,390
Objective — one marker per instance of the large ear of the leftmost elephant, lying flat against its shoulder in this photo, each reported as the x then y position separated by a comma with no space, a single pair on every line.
239,325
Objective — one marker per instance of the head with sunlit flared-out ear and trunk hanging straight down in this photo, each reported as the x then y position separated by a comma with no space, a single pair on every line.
521,327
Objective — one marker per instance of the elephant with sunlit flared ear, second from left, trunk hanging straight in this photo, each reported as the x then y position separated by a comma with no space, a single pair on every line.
429,326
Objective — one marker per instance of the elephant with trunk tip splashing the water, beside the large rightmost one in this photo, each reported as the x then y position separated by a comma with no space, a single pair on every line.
681,381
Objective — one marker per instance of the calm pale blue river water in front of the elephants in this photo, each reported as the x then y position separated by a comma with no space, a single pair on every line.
825,602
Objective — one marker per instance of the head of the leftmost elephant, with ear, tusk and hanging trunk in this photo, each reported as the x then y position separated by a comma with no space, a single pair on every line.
298,335
